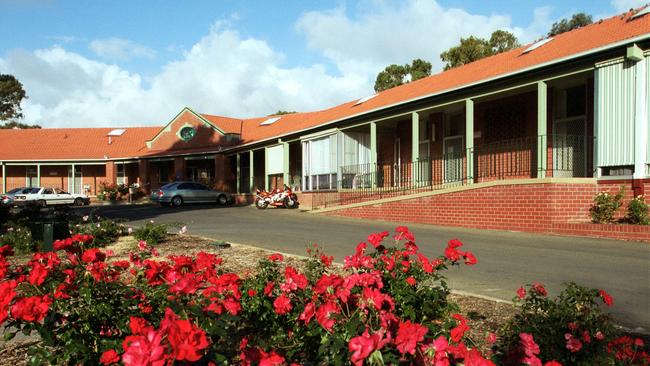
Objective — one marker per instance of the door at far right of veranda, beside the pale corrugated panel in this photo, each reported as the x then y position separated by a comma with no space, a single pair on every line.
569,148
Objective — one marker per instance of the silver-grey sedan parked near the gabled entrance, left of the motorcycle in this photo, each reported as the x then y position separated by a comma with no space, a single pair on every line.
179,193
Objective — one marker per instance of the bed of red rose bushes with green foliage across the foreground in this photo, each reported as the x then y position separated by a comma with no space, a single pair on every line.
389,305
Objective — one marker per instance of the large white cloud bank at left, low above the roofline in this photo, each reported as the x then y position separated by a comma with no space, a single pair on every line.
220,74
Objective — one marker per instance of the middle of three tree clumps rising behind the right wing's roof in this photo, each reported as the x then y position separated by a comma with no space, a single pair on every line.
475,48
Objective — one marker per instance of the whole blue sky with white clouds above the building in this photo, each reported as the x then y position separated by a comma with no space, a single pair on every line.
137,62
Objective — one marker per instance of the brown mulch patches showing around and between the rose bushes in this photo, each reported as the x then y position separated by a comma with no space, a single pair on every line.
484,315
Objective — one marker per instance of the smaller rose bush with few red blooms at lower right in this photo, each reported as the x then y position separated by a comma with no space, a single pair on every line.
570,329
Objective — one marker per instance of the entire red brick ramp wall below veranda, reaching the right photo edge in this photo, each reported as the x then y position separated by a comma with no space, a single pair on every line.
556,207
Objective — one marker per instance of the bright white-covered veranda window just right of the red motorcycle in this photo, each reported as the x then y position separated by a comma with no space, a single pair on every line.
320,163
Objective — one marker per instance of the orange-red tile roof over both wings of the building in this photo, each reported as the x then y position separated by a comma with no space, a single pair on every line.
88,143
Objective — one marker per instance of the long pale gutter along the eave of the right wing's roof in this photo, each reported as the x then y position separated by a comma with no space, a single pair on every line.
464,86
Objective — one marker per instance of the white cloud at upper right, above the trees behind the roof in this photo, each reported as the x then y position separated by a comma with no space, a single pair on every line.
384,33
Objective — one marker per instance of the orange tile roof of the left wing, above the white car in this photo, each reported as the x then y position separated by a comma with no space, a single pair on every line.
73,143
